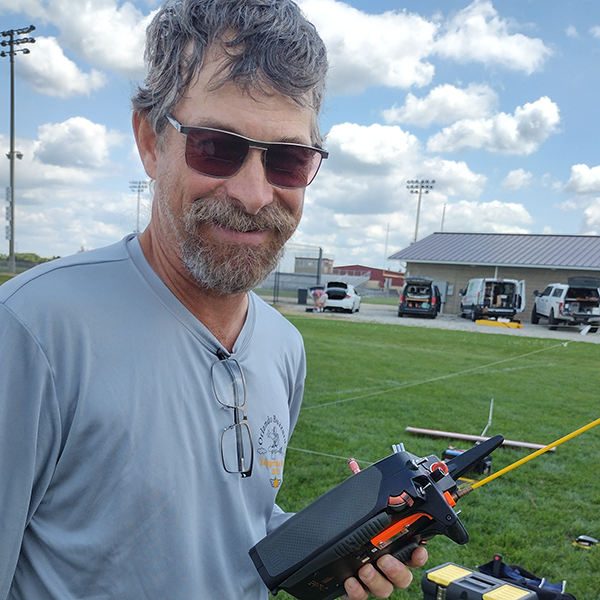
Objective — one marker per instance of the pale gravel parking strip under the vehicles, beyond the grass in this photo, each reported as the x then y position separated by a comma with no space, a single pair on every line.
377,313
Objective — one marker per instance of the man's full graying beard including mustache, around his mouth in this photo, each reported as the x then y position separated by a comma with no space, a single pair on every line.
230,267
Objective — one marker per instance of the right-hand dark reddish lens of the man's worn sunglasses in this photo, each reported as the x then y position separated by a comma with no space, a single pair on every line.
291,166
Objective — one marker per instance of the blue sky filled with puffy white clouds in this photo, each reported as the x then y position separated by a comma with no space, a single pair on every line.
497,102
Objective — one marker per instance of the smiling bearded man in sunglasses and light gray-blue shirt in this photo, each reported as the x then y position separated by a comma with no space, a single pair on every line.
141,383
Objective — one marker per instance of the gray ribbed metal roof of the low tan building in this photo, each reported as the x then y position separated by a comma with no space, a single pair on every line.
506,249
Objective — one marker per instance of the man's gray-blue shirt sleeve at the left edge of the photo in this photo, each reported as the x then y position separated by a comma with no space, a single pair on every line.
29,437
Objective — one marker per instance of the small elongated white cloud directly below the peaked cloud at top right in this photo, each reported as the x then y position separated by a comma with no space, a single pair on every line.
444,104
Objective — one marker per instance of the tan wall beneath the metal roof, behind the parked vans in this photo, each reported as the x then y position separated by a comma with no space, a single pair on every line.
458,276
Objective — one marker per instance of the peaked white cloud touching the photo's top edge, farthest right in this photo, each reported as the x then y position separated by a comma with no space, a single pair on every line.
478,34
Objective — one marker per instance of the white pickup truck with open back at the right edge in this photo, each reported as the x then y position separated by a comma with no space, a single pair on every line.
574,303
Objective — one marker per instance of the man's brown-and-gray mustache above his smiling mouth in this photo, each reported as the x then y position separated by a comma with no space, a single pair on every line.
227,213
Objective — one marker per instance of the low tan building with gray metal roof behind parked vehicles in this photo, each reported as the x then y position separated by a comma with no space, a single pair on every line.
454,258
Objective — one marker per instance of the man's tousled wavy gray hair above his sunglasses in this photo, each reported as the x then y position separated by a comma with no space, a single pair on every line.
269,45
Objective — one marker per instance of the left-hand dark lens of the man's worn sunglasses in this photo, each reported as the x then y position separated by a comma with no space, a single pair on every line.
214,153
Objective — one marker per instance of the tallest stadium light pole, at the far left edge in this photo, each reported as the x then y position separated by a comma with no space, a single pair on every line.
12,155
